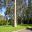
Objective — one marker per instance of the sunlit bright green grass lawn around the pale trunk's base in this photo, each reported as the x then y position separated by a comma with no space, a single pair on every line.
10,28
